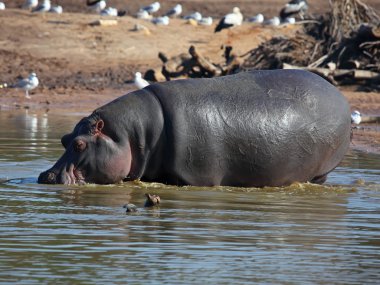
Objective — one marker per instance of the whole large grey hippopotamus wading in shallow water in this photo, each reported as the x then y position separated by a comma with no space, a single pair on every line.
251,129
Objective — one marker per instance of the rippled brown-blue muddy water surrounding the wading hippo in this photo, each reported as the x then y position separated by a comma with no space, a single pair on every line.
303,234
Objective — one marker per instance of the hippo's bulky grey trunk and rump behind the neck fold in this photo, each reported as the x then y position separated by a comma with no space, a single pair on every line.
253,129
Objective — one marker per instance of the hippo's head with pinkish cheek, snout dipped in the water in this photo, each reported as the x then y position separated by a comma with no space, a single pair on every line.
91,156
